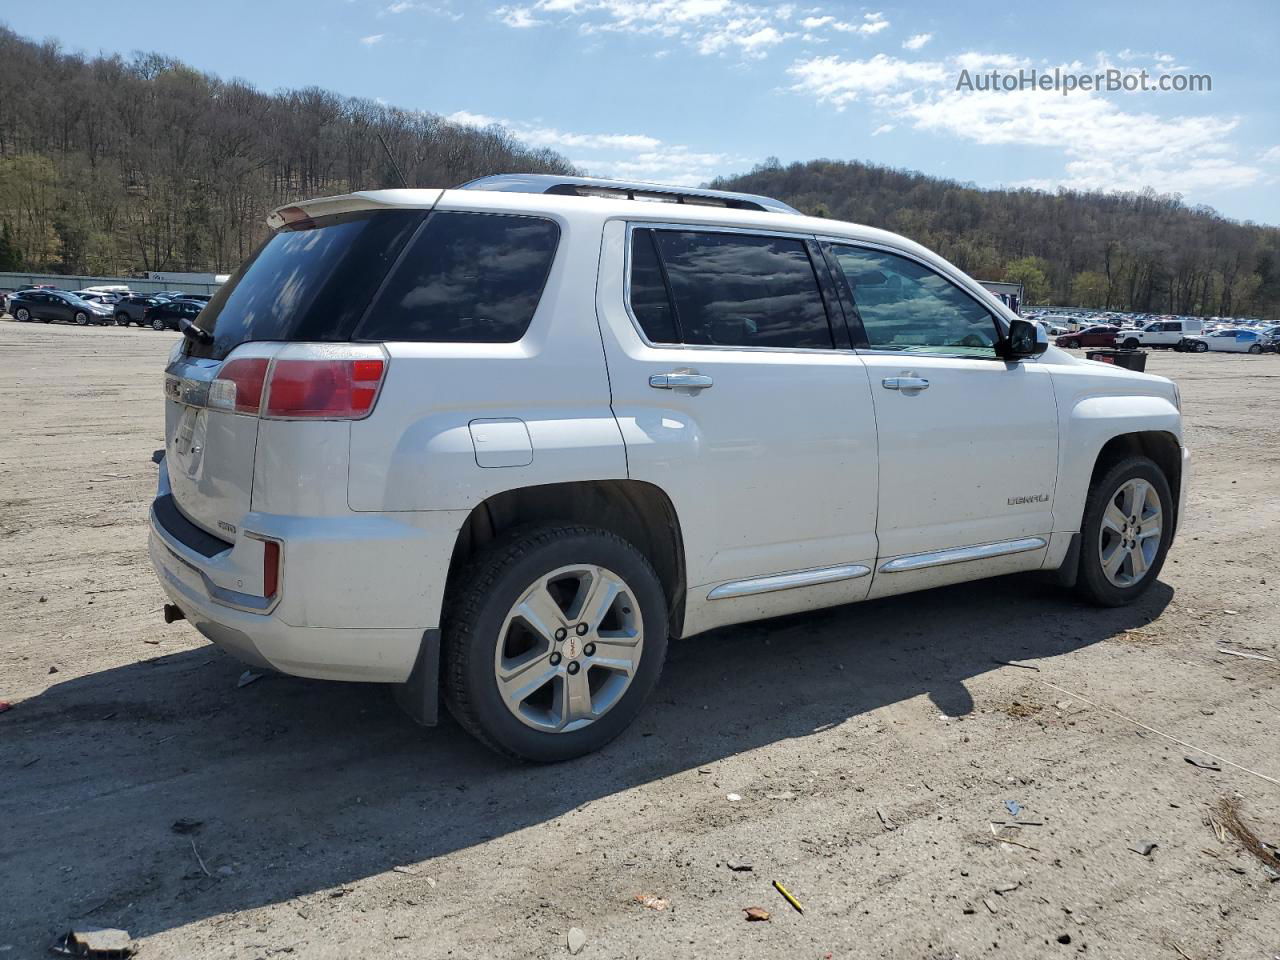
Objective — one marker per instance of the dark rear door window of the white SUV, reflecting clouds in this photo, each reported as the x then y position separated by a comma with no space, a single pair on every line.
734,290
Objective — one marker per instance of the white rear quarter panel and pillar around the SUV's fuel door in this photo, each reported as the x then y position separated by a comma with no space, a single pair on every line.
417,451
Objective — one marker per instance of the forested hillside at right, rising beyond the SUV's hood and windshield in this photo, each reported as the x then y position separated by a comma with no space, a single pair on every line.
1122,252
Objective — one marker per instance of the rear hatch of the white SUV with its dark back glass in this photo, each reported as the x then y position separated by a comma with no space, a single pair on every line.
310,282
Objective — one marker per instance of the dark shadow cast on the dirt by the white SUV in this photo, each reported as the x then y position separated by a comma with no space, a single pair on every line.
304,787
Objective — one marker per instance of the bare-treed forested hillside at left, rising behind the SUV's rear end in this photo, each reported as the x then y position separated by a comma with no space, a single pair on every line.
113,166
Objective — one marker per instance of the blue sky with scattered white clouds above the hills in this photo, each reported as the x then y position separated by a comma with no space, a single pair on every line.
684,90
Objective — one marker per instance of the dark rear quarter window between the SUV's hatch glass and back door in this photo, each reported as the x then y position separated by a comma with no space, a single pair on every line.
467,278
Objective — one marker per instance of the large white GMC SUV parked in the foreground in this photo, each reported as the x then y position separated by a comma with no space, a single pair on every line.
504,442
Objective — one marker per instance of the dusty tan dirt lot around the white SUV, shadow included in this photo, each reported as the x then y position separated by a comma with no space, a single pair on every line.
872,747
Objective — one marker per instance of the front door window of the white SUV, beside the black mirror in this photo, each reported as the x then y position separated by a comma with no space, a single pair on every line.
906,307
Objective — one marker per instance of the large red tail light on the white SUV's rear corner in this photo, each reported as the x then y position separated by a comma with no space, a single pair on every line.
305,388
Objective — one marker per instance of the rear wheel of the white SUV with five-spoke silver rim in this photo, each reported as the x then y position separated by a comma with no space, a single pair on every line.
554,642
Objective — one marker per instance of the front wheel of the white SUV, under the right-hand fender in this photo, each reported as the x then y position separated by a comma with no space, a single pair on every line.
1126,533
